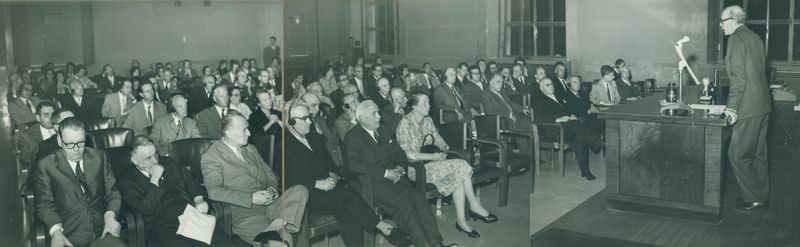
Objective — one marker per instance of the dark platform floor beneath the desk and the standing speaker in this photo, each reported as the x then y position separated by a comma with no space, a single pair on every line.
778,226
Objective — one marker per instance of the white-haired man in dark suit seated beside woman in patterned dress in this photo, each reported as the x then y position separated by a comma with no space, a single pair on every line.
374,152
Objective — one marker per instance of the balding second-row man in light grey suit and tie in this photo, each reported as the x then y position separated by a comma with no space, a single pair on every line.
174,126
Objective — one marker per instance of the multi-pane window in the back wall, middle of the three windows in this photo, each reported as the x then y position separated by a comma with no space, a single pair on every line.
535,28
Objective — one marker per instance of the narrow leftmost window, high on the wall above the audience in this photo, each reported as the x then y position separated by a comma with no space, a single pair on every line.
381,27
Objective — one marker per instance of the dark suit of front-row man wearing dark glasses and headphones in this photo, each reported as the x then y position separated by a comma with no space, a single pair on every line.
304,166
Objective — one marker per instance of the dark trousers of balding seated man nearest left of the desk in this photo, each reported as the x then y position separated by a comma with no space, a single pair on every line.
582,139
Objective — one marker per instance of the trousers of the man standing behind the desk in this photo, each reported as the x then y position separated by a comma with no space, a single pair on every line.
748,157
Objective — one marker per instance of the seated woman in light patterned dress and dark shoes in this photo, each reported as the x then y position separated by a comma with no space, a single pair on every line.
451,176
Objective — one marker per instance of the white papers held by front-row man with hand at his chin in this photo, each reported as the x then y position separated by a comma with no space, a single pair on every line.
196,225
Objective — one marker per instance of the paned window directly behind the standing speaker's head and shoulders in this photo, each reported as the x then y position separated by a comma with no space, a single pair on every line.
777,22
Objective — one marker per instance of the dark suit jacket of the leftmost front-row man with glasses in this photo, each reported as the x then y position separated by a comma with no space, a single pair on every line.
59,198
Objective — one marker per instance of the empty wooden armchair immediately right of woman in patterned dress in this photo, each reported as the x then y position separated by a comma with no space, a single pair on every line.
455,135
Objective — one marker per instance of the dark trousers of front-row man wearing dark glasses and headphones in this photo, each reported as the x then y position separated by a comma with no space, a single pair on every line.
352,213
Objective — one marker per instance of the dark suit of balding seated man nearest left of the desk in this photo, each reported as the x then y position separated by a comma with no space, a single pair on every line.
581,138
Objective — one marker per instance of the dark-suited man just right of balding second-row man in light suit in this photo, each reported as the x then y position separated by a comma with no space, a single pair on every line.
209,120
